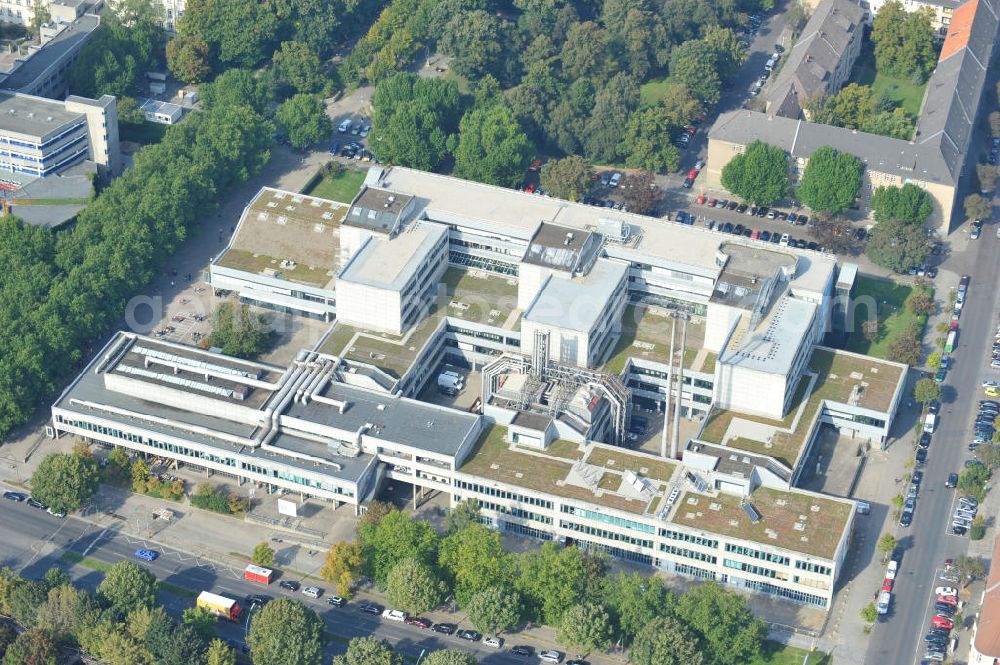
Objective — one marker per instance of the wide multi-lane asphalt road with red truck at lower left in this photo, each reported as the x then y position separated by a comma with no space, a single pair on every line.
34,541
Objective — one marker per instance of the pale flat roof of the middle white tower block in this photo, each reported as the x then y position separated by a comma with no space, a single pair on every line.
577,303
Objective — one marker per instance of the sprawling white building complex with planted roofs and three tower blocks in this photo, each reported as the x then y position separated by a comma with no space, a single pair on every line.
590,331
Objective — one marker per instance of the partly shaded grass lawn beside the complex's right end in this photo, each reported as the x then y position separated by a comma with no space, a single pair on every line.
893,316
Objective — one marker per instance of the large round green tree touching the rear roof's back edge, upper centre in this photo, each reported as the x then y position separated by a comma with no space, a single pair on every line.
492,147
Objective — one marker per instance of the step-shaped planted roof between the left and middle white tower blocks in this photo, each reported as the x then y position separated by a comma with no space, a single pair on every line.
472,295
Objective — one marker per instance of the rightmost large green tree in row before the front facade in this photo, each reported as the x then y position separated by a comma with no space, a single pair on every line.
731,635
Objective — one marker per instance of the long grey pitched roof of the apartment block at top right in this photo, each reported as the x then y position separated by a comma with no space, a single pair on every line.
807,70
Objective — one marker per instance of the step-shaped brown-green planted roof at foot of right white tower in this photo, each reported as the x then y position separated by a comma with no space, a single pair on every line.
841,377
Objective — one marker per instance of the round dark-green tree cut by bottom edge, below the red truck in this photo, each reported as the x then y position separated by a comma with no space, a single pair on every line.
286,632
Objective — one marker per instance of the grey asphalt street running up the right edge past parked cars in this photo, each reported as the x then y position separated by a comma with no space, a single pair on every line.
898,639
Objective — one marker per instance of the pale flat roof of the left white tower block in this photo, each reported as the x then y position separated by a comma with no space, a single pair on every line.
390,262
